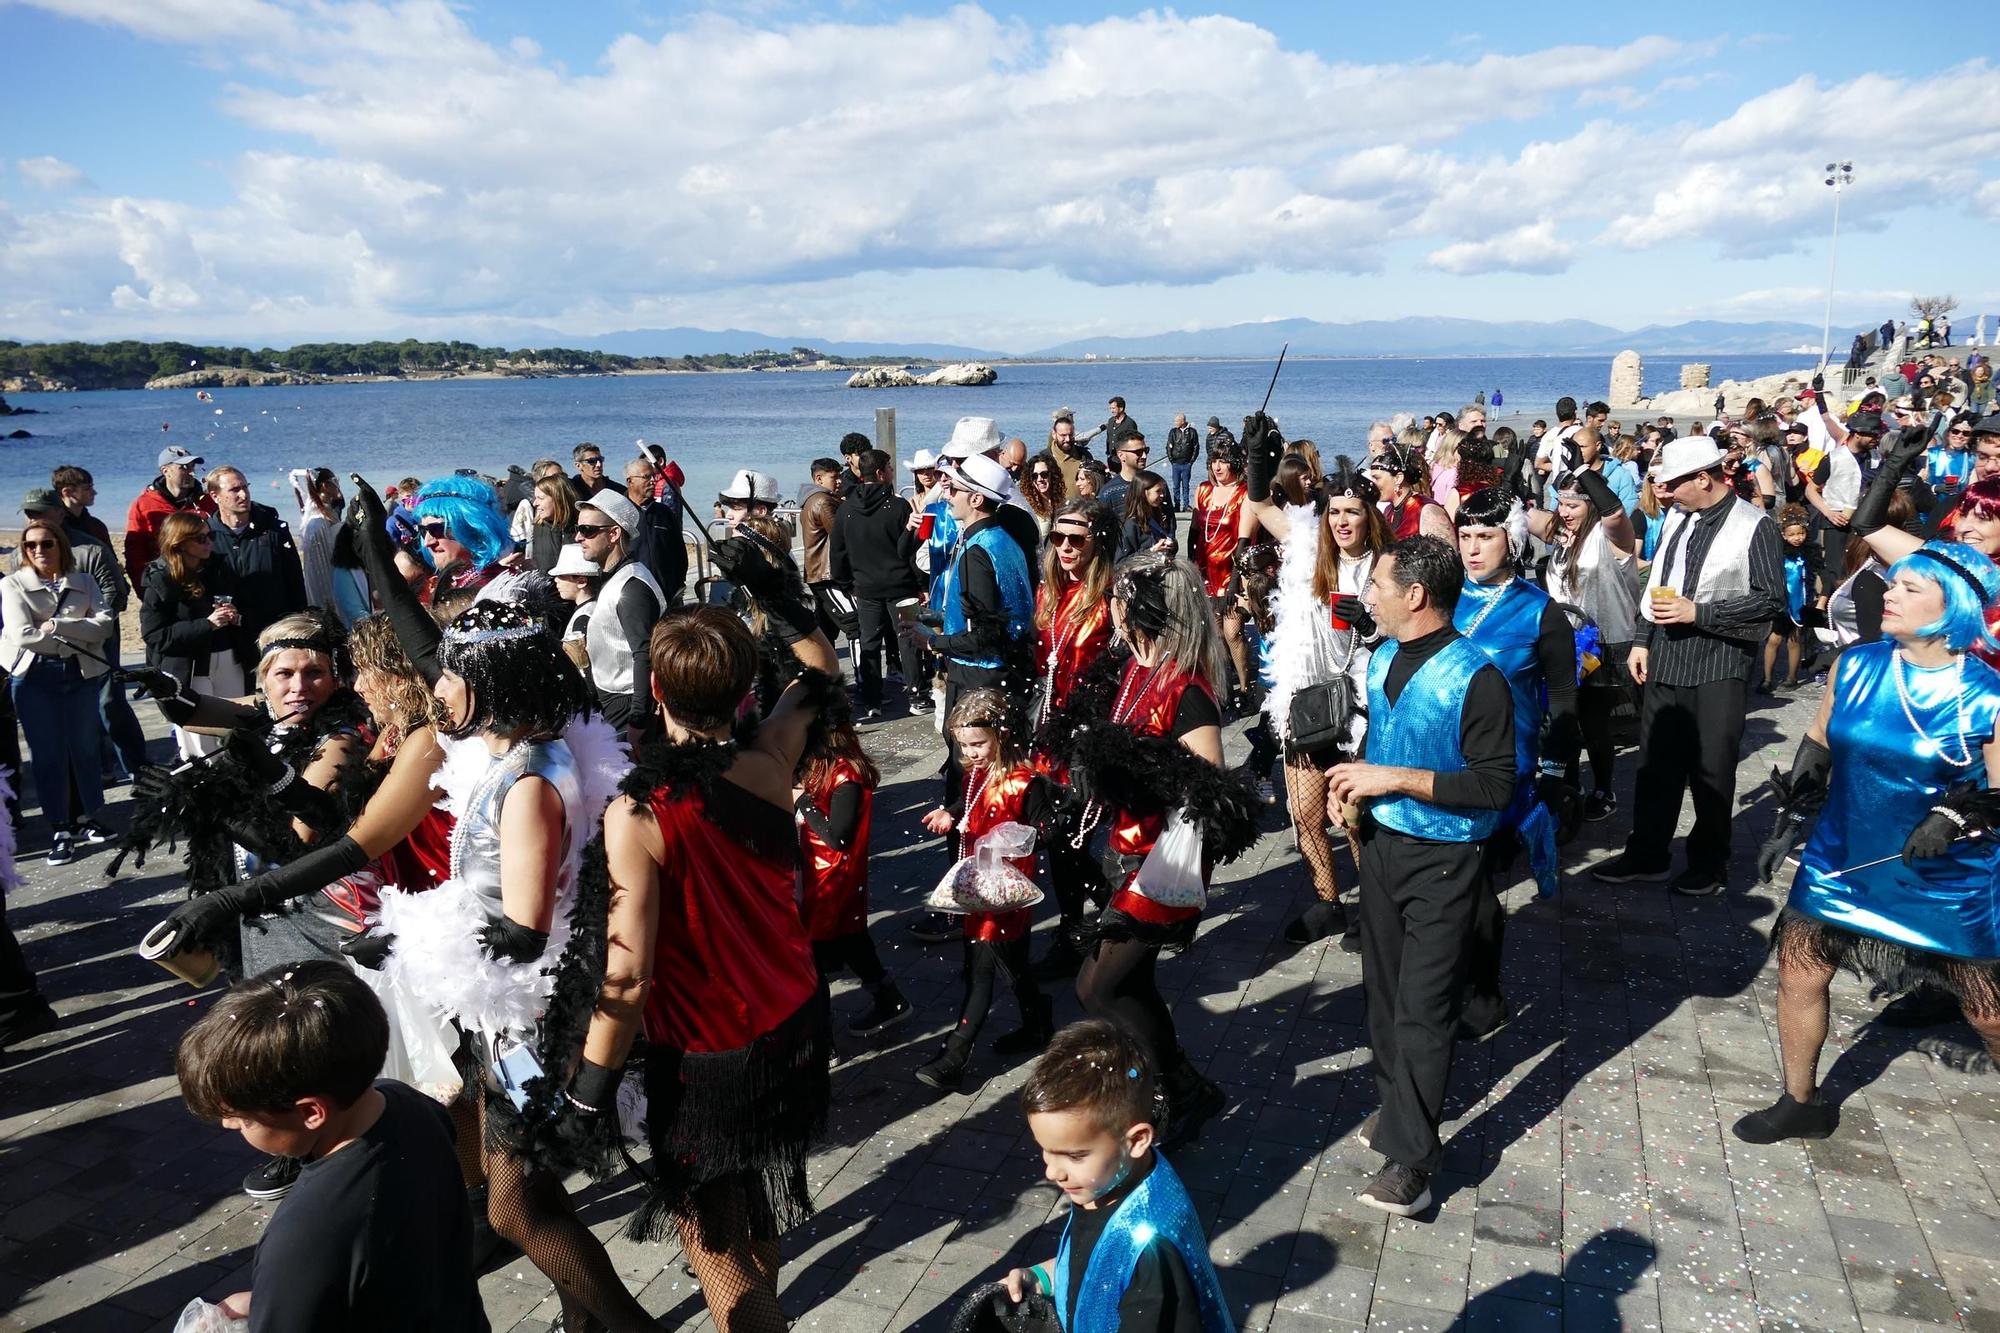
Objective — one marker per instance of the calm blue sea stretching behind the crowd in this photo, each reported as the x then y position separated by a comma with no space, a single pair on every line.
719,423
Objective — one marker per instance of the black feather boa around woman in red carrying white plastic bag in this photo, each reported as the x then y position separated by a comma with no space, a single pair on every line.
1145,776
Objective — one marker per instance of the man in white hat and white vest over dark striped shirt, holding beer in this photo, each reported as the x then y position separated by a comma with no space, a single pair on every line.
1715,589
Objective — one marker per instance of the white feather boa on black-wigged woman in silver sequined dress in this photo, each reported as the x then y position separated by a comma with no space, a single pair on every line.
439,956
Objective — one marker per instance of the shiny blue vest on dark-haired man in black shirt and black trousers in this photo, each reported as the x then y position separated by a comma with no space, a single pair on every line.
1421,732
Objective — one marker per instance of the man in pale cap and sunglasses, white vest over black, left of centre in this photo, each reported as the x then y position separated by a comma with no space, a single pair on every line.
629,605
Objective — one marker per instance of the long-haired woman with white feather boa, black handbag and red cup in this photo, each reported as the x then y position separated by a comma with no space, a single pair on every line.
1319,668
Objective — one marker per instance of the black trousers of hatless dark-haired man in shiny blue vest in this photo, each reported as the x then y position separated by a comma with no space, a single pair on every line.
1419,904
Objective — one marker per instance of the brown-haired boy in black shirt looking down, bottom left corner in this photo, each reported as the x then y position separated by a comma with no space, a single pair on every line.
377,1234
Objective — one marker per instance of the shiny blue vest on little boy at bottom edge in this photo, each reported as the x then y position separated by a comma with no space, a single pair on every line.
1157,1210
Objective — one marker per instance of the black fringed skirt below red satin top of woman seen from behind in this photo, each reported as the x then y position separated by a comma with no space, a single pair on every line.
747,1116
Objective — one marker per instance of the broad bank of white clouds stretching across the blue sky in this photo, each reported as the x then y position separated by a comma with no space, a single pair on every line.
427,173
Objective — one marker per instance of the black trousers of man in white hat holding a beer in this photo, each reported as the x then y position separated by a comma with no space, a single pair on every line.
1689,742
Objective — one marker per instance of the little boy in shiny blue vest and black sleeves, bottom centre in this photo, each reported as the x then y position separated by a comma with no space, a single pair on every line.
1133,1254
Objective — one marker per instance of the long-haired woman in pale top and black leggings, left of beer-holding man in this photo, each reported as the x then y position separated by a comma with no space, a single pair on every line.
1593,567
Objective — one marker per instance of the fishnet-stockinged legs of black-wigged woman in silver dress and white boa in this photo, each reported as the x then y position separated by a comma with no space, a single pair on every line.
533,1212
